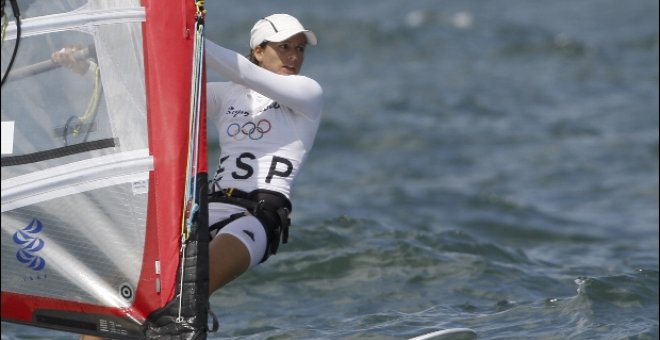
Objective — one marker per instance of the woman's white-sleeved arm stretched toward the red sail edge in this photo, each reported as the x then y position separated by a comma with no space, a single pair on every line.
300,93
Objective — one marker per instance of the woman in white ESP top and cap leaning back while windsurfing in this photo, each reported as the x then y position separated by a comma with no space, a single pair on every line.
267,117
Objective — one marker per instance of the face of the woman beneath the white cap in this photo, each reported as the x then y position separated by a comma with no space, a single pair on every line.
285,58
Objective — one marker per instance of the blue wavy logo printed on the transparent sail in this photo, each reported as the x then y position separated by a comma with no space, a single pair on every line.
30,243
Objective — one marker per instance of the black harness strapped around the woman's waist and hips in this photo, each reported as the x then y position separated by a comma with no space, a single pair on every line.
271,208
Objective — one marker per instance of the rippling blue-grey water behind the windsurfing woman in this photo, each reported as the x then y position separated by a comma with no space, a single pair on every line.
491,165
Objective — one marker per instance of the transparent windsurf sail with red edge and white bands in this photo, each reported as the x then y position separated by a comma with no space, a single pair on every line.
104,225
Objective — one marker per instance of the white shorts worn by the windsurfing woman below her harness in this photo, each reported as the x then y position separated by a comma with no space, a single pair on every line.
247,229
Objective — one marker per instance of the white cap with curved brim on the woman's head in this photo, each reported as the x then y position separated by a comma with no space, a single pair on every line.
277,28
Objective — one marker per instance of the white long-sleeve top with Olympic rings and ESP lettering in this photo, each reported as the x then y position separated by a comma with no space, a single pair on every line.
266,122
